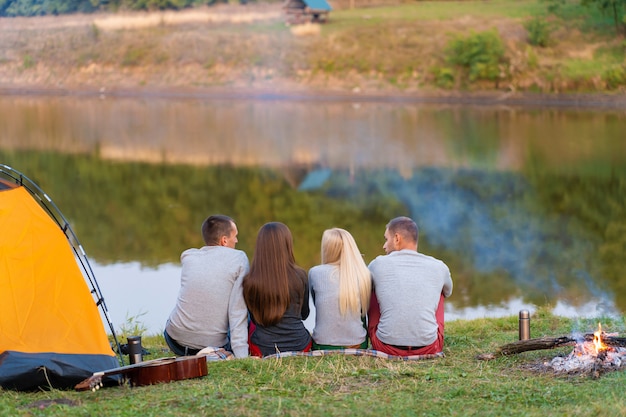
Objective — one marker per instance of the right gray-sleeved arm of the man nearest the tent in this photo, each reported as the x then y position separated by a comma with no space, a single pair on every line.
238,315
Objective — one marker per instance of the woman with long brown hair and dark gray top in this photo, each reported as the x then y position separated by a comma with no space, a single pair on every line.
276,292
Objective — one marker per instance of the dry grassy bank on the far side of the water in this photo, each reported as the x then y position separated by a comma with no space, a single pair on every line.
382,46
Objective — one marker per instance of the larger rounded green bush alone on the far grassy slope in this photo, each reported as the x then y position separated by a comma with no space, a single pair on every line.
481,55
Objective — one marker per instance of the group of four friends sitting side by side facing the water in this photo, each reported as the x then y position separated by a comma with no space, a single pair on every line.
394,305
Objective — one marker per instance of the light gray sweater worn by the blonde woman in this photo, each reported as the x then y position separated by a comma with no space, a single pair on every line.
331,328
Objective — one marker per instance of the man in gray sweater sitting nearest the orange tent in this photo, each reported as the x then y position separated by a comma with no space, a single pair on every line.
210,310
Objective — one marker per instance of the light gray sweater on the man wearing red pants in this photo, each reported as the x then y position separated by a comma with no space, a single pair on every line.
408,287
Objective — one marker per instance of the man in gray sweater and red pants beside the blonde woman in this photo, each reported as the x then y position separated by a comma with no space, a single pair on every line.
406,312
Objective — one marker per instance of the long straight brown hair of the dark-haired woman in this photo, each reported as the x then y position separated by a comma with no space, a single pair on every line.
273,272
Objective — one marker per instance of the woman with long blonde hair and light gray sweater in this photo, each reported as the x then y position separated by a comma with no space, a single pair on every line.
341,289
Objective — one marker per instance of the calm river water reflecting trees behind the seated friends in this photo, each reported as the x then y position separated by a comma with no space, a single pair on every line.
526,205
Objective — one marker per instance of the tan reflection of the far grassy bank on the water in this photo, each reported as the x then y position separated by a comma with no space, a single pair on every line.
332,134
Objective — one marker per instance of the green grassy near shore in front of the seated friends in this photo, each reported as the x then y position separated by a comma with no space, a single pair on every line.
457,385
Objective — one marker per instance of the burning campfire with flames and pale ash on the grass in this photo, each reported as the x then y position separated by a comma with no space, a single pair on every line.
593,356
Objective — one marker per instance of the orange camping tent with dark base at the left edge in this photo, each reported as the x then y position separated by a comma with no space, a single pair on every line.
51,333
